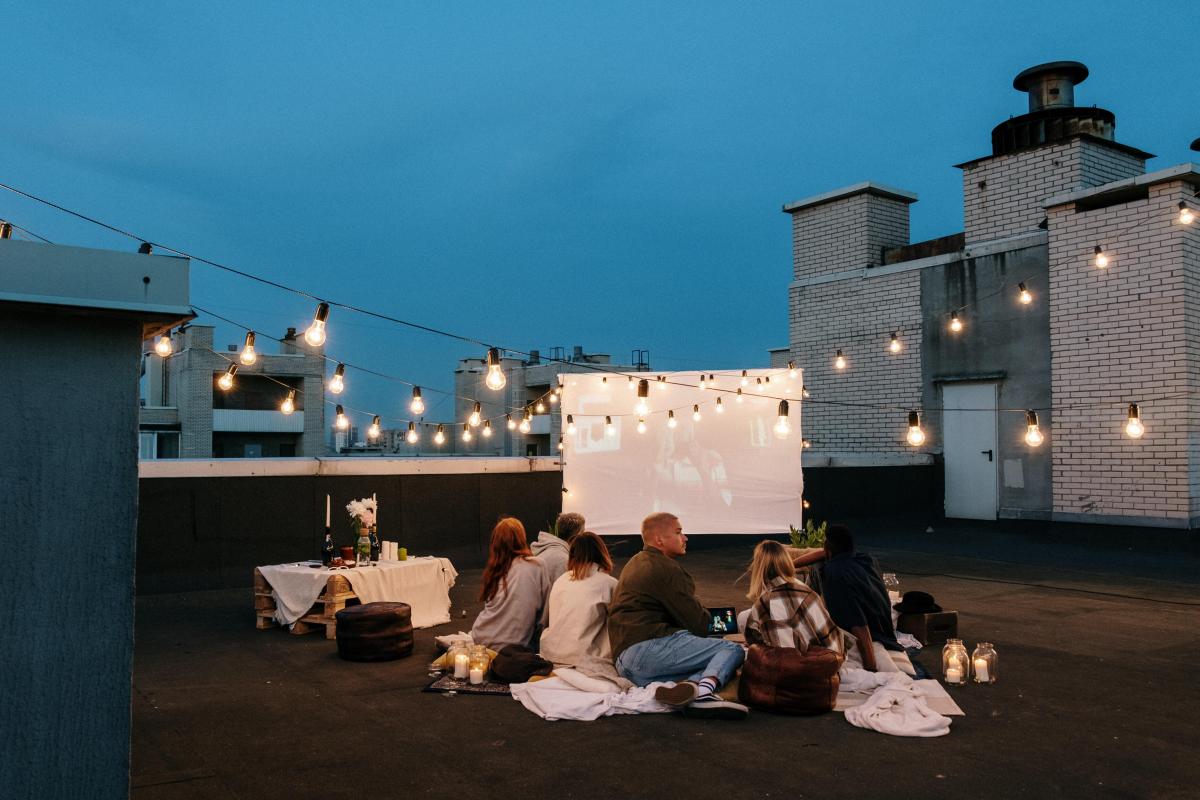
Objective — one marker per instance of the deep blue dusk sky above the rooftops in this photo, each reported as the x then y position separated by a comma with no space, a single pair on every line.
536,175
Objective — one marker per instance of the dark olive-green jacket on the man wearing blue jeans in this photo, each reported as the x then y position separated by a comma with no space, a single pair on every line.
655,598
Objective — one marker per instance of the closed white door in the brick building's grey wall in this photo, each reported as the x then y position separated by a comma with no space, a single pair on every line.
969,429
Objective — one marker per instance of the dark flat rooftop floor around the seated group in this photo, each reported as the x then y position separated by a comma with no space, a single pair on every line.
1097,697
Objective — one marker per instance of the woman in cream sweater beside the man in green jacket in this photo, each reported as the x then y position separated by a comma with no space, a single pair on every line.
577,633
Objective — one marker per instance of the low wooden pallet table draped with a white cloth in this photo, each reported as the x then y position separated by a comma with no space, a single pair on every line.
305,599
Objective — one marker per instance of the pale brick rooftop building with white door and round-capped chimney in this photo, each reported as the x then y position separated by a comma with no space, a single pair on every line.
1090,344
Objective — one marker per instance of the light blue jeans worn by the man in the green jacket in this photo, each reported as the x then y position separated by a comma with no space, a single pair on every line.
680,657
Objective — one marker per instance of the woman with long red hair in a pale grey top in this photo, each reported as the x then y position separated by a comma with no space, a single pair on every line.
514,591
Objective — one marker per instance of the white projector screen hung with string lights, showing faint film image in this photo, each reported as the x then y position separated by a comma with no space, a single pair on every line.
727,474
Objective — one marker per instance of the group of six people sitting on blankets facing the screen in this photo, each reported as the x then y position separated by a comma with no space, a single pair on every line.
559,599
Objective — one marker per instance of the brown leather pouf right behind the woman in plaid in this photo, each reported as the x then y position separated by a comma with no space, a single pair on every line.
790,682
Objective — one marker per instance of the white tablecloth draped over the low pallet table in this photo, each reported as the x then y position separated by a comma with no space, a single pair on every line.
424,584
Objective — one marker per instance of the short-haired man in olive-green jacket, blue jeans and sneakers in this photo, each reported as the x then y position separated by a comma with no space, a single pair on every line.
658,628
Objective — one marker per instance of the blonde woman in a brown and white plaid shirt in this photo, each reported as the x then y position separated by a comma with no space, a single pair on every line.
785,613
